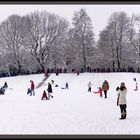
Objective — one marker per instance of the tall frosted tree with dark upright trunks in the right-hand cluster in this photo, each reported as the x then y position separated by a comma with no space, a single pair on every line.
119,23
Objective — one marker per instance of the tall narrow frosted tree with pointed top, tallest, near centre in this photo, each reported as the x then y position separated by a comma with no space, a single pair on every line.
83,36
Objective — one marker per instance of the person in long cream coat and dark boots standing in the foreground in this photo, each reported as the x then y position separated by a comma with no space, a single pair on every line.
122,91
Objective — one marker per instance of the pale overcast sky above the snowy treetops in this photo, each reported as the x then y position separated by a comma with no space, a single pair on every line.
99,14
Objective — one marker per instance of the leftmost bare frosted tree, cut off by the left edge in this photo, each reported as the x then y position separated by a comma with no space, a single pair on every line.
11,39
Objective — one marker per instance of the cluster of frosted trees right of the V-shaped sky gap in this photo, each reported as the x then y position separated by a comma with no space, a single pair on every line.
120,41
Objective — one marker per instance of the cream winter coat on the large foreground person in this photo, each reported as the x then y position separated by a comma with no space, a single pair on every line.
122,96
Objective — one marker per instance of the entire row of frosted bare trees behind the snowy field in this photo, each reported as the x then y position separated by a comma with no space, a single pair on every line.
40,40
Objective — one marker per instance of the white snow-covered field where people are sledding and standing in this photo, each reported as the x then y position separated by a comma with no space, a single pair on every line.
73,111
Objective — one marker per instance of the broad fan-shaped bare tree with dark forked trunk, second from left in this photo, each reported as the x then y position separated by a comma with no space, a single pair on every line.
44,32
